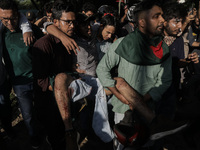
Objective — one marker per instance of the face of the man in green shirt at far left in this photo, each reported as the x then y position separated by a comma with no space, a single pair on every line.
9,18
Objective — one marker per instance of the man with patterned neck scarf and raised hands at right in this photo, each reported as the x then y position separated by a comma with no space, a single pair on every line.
172,26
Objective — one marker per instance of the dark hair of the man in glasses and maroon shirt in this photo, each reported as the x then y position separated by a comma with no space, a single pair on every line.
59,7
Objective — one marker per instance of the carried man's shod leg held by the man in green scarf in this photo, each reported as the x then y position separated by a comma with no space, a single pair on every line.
160,126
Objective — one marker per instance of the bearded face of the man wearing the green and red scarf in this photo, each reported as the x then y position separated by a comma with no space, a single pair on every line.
154,21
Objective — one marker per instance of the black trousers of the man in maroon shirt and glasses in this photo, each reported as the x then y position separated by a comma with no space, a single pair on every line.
49,116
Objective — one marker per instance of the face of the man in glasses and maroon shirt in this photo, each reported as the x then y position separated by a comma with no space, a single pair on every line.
66,23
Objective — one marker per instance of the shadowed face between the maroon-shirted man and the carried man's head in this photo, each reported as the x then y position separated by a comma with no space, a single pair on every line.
85,29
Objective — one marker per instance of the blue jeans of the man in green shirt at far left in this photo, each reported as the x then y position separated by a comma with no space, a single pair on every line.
25,100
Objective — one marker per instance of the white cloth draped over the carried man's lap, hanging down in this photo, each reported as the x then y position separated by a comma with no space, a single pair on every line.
100,121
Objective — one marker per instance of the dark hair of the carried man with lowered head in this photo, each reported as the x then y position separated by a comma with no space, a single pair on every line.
109,19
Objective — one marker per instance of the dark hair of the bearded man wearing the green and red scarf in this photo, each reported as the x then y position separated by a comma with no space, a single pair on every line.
145,6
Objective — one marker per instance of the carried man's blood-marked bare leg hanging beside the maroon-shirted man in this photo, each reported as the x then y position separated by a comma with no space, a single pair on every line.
62,96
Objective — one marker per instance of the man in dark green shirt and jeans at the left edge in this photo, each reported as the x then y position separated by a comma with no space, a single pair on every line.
18,61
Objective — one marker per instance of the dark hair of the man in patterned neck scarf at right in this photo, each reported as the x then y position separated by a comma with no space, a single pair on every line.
171,10
